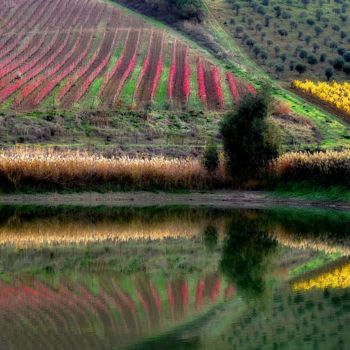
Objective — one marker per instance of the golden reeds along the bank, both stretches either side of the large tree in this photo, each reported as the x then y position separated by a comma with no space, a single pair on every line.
37,168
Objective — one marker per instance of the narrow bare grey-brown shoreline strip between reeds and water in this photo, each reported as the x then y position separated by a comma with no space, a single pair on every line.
219,199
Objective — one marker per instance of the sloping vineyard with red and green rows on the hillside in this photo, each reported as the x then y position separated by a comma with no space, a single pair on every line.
68,54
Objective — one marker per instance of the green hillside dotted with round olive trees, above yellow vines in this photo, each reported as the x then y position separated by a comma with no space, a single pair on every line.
290,39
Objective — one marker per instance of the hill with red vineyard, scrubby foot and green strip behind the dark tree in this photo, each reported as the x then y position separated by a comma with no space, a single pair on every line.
114,79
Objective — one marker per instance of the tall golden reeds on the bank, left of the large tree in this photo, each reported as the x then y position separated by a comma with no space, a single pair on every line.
39,168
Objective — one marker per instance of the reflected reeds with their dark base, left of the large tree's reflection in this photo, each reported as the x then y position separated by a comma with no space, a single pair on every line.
41,226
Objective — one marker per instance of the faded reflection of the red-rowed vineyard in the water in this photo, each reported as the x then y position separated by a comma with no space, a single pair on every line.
70,316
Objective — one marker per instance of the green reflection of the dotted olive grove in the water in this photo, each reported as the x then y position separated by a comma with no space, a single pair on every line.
313,320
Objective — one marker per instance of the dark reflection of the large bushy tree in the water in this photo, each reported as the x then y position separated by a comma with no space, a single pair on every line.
246,255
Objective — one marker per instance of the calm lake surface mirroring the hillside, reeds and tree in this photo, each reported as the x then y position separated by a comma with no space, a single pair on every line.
173,278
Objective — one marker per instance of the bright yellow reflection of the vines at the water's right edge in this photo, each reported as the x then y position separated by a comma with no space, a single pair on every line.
335,276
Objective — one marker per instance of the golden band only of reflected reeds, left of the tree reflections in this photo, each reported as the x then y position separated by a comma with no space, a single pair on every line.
53,232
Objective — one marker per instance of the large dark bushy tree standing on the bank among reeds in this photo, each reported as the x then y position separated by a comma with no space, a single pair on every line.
249,140
